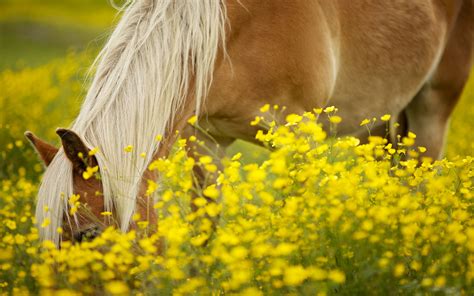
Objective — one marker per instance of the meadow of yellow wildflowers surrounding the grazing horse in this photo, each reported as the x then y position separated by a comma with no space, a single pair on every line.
314,214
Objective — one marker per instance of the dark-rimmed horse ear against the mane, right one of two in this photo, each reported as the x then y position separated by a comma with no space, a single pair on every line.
75,150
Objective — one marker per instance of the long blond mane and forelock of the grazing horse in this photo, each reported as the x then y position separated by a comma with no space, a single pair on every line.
142,77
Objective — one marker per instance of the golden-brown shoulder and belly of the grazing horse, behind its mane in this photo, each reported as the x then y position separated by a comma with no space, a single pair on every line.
368,58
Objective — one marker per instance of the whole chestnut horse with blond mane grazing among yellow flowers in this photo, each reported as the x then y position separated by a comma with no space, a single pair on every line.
221,60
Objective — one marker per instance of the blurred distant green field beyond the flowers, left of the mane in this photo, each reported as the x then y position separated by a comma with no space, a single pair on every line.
33,32
